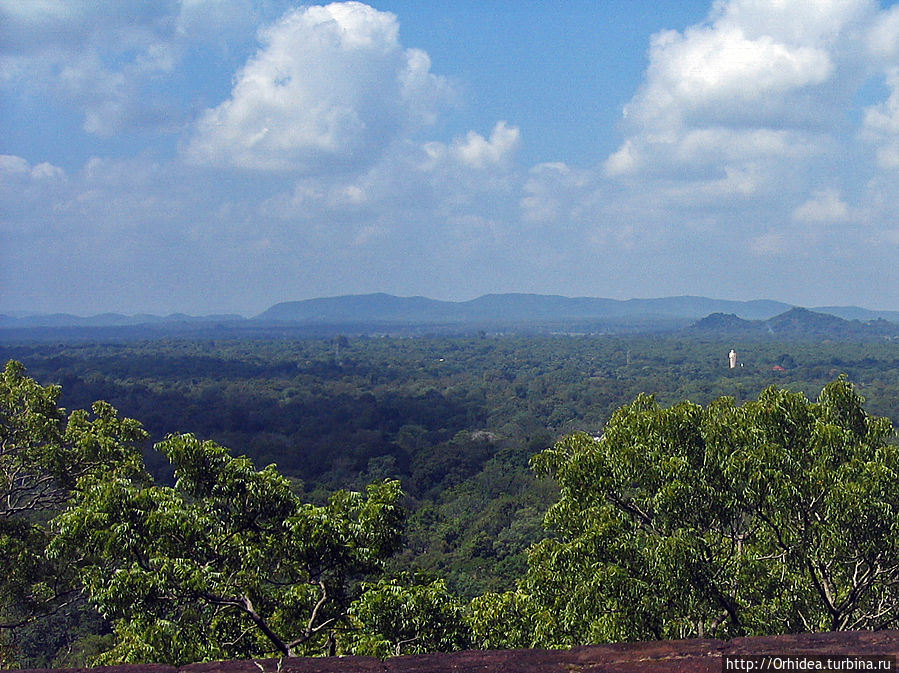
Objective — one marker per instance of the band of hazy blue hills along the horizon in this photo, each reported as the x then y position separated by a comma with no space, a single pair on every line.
380,312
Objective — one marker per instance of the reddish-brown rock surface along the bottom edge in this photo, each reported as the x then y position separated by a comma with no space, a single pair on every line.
670,656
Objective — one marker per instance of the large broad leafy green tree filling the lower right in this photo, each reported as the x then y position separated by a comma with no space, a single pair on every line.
775,516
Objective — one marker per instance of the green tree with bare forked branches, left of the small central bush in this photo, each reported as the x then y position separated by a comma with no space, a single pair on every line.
228,563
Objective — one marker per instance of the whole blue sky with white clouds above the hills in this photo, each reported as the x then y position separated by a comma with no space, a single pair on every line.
221,156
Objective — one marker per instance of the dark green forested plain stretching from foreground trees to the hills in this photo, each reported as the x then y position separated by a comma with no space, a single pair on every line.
456,421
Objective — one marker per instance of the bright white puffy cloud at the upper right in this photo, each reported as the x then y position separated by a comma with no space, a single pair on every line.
761,80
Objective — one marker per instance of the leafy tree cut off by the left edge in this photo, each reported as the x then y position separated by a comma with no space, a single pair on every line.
45,457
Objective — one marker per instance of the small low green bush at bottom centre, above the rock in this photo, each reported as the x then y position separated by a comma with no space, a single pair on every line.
391,619
